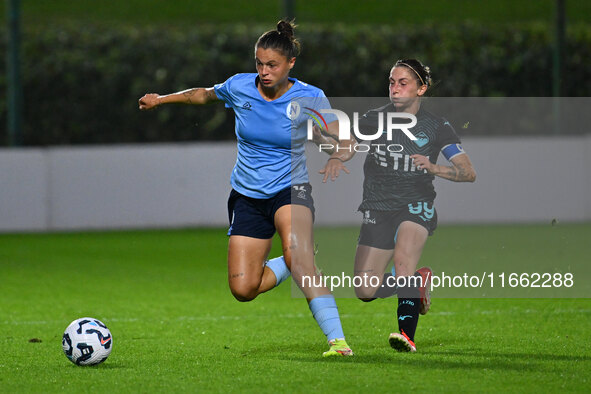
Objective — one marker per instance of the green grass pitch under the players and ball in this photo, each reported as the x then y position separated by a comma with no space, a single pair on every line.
177,328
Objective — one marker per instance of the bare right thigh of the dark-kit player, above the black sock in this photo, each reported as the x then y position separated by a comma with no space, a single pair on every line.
410,240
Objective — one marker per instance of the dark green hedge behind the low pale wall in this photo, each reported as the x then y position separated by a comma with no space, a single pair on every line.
81,83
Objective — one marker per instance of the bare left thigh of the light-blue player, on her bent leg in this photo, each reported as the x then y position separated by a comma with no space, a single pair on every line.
246,256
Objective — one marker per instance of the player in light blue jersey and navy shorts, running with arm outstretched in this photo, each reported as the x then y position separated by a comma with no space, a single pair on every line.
270,189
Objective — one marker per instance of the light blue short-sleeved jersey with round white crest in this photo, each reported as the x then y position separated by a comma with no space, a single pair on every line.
271,134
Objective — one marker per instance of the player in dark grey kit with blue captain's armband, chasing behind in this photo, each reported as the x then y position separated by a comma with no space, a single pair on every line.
398,195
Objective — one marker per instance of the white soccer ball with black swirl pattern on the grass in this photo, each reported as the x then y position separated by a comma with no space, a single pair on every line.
87,341
